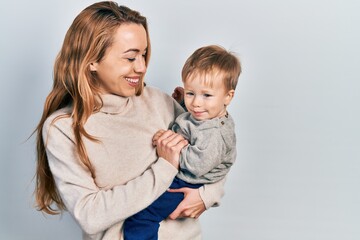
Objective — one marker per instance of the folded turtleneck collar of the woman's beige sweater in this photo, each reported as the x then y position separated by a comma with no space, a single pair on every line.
113,104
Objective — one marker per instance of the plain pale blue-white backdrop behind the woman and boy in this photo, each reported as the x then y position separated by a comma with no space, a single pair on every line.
297,174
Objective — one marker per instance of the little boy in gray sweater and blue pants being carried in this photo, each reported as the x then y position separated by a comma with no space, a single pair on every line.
210,76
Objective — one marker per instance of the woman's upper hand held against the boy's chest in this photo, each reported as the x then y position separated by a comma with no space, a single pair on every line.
168,146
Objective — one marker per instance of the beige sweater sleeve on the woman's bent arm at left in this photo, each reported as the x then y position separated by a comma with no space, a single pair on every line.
93,208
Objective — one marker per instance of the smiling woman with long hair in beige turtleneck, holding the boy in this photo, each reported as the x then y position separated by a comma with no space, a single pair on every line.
94,152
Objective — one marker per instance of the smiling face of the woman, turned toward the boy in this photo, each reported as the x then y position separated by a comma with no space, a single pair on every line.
120,70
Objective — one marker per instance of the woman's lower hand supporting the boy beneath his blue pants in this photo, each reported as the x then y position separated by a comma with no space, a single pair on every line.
192,205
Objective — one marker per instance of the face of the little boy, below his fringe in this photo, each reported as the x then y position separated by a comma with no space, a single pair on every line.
204,101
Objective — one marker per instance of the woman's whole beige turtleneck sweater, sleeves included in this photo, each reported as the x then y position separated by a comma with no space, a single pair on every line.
129,175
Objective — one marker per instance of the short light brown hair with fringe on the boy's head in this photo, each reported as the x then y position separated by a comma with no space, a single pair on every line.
211,61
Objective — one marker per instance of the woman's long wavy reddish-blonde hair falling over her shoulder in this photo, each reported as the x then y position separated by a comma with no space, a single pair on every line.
86,41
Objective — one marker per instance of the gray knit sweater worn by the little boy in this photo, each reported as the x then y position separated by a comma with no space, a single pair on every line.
211,150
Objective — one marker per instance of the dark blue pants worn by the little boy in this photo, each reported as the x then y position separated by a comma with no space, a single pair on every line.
144,225
